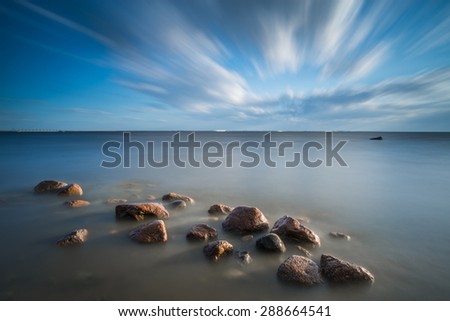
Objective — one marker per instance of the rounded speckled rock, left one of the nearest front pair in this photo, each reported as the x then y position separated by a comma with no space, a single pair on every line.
300,270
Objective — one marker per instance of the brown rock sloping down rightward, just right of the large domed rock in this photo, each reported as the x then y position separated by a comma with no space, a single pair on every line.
291,229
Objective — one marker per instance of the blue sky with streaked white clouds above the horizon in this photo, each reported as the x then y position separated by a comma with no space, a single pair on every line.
225,65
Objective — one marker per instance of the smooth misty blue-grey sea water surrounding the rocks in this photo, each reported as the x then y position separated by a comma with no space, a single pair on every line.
393,200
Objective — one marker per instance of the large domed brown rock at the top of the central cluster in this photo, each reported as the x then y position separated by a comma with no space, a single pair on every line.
245,219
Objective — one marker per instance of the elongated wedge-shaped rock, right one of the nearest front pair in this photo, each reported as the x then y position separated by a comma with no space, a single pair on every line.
338,270
